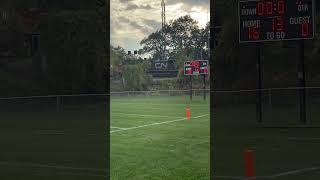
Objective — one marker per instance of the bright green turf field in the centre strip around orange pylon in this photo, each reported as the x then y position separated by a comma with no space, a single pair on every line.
150,139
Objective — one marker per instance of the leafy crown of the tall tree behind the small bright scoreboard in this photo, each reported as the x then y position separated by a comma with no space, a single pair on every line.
179,35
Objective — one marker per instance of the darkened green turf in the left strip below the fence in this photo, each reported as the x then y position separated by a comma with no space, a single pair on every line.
48,145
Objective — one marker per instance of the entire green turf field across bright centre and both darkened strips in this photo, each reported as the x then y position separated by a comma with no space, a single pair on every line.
150,139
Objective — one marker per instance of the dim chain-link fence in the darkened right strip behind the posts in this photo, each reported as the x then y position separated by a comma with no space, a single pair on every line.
279,106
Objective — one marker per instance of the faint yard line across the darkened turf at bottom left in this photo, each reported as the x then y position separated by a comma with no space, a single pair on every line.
50,166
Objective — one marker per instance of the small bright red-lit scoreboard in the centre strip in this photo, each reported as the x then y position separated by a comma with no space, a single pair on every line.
196,67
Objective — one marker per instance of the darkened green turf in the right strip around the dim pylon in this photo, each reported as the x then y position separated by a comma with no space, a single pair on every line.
280,153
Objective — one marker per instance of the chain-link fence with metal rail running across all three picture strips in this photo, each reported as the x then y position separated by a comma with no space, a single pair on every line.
278,105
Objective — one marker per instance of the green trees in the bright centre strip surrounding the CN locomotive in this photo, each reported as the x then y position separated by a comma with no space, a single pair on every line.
181,40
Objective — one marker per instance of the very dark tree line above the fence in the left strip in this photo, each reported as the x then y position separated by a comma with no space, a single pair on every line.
69,48
